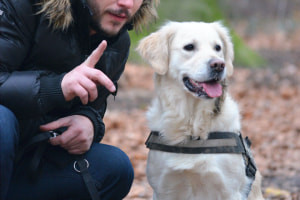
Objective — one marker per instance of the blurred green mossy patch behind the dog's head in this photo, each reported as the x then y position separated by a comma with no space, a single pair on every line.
197,10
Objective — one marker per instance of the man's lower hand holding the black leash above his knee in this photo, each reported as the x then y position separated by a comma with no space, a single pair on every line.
77,139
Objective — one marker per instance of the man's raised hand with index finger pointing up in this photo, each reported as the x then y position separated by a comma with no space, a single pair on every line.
82,81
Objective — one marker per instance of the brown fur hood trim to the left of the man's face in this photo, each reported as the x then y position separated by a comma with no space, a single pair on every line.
58,12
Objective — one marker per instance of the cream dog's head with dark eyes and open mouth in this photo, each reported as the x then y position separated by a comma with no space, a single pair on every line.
199,55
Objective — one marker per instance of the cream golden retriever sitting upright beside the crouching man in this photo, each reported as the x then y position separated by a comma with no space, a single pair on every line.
192,61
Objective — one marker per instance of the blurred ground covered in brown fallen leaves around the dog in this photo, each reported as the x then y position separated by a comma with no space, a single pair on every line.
269,103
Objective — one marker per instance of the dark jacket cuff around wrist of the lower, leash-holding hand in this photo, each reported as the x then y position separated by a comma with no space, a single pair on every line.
94,116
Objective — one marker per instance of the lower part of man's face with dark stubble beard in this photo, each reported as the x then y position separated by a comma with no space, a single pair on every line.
111,15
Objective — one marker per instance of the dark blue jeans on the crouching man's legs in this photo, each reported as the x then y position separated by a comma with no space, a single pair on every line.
109,166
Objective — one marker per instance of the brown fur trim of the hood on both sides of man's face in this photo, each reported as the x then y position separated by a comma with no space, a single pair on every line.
59,13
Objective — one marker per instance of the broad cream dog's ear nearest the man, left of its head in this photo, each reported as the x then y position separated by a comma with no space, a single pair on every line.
155,48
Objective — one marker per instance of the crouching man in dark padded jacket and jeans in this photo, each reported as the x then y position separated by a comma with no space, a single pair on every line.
59,61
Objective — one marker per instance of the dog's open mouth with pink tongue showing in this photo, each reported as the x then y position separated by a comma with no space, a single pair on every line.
210,89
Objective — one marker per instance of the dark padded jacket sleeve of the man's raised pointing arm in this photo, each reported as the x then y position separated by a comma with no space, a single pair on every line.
26,93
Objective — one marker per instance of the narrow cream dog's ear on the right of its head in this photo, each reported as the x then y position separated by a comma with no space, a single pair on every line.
228,46
